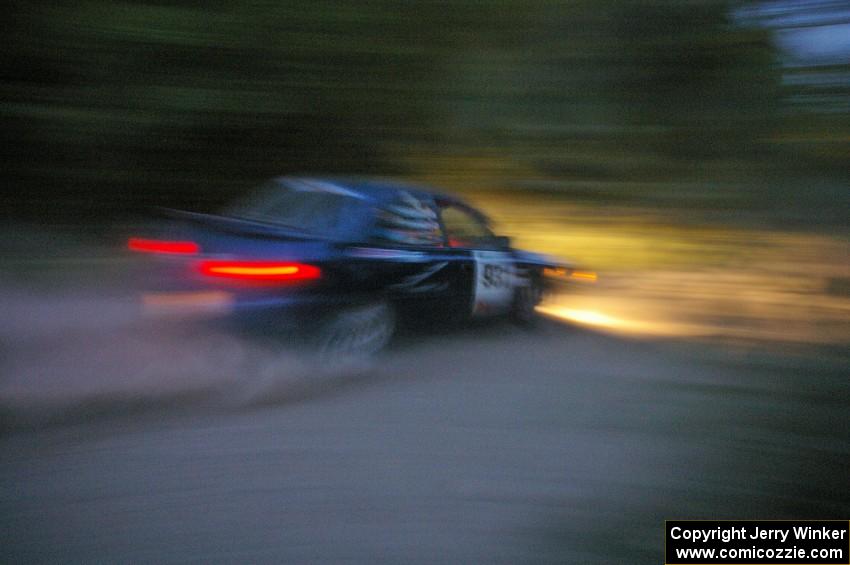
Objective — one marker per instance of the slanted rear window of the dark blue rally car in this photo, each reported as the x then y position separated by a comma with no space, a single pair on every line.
315,207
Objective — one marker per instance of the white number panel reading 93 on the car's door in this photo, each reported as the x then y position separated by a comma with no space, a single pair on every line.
495,279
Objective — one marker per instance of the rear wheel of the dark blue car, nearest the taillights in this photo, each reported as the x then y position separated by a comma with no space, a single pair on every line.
356,333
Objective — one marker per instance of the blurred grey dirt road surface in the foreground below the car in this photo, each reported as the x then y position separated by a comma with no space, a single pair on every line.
484,445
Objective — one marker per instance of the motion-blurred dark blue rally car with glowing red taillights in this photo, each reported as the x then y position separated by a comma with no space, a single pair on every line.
340,261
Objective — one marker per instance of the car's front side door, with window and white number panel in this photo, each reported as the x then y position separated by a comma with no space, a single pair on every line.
489,279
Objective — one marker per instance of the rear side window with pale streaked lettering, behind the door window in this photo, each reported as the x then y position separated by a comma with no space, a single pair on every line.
408,220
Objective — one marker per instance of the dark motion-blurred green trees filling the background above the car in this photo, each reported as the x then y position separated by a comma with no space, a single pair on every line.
109,105
